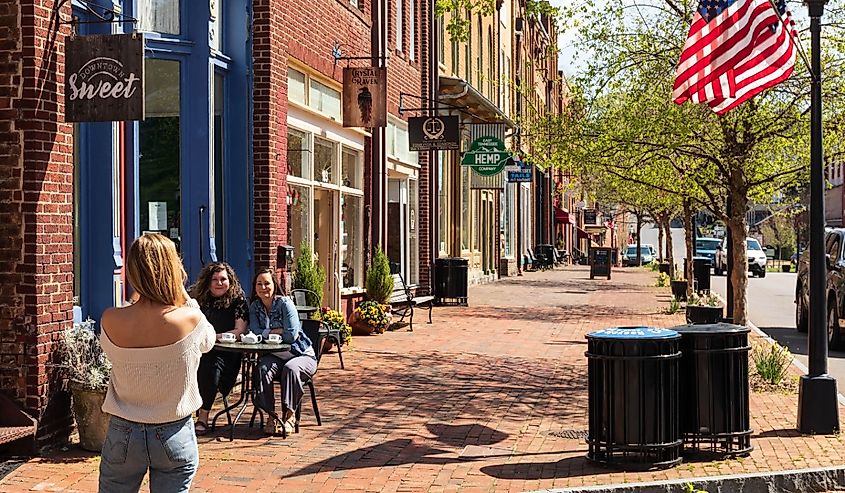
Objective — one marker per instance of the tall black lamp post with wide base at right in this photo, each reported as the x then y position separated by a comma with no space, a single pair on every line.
817,403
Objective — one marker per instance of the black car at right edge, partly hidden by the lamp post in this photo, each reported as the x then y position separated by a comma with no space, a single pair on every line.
834,240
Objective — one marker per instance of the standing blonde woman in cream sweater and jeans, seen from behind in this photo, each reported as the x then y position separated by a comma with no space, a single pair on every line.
155,346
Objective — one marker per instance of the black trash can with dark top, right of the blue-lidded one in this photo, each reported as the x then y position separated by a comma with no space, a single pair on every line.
714,388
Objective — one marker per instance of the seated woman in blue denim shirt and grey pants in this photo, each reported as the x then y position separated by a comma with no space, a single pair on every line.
270,312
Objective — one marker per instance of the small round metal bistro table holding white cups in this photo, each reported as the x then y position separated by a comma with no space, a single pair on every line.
251,354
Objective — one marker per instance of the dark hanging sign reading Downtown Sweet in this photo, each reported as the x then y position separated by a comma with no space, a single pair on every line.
104,78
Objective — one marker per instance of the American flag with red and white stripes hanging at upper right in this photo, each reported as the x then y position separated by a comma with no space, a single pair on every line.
735,50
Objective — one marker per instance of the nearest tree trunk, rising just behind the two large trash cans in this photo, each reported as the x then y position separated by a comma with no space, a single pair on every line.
739,276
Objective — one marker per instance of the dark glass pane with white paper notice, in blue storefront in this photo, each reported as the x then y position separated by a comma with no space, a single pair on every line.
159,190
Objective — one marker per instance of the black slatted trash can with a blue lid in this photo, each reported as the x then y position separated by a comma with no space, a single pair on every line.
633,400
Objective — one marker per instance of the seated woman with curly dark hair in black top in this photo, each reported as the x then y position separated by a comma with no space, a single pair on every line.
222,301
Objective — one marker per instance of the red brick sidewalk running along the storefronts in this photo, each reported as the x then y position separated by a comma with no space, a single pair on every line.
490,397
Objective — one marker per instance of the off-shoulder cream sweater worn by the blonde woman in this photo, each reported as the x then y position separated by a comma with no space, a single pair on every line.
157,384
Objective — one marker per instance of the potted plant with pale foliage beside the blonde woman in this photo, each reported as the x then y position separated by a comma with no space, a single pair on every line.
88,371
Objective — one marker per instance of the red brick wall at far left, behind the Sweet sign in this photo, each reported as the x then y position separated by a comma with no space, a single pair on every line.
36,191
